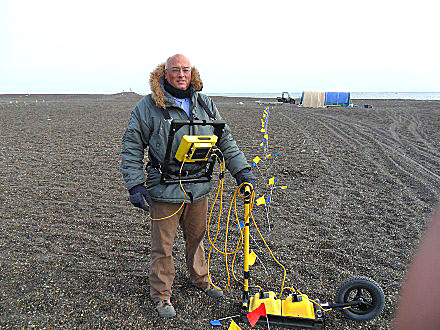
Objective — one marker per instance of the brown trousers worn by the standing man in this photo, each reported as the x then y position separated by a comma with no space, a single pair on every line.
192,220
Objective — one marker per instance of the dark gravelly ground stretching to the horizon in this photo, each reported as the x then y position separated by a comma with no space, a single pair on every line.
362,185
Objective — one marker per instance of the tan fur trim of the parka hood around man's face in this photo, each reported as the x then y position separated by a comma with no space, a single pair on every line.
156,84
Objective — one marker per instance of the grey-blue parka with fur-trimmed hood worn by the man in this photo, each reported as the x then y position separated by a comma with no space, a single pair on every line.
148,130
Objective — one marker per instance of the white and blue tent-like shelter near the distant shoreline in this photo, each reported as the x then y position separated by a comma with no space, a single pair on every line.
313,99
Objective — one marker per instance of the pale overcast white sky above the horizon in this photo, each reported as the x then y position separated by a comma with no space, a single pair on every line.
87,46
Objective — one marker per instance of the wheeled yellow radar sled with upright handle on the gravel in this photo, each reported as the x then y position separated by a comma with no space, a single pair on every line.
358,298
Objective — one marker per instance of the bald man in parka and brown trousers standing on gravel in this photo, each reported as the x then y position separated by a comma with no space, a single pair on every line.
175,88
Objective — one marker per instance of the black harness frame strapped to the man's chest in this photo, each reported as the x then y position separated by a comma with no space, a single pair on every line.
176,125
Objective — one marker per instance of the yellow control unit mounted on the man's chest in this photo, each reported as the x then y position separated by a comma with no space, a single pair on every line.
195,148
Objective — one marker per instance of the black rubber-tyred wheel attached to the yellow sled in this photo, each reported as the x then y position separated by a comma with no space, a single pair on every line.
364,290
